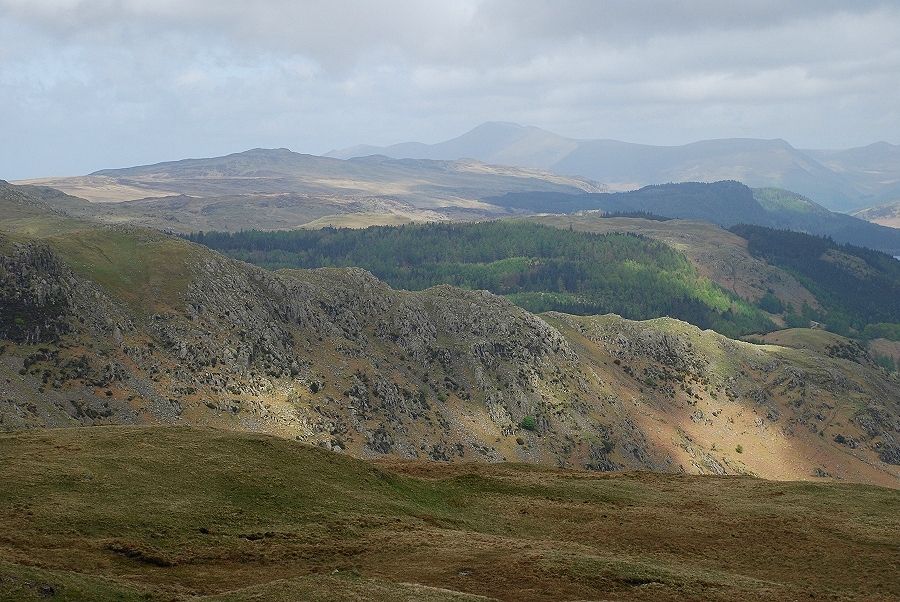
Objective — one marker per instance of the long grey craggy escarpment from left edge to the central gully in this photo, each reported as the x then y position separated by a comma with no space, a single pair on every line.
333,357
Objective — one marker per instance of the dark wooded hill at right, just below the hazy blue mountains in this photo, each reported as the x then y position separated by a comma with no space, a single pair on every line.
724,203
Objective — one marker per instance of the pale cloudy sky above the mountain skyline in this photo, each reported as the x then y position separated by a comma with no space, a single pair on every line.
92,84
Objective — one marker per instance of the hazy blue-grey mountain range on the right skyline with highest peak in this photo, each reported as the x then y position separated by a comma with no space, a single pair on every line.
841,180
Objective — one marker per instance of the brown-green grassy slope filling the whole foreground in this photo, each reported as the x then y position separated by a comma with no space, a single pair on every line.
175,513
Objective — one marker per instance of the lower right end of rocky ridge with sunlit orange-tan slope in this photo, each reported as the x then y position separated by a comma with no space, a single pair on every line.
714,395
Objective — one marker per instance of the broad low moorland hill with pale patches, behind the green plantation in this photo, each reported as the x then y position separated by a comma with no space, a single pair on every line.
281,189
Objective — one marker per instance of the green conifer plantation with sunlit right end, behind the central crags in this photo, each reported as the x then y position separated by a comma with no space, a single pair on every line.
537,267
